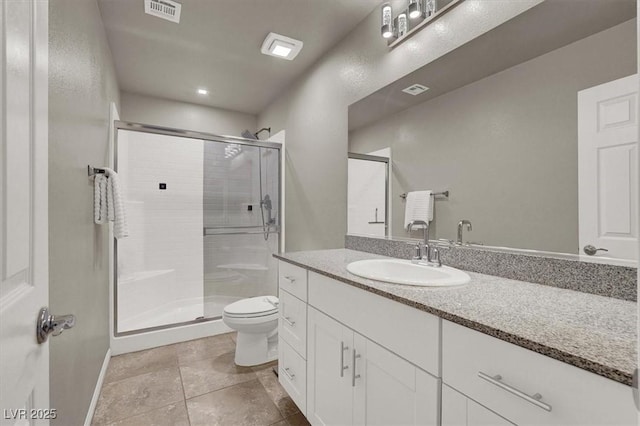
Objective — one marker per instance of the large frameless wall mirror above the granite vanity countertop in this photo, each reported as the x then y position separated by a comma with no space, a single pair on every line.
531,128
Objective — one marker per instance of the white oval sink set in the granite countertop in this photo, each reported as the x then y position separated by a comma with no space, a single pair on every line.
406,272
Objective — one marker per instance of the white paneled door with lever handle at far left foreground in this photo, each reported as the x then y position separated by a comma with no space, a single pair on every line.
24,364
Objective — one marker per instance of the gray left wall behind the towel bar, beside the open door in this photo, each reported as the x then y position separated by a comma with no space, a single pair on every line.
81,85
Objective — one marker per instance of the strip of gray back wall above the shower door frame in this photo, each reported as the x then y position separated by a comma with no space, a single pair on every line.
182,115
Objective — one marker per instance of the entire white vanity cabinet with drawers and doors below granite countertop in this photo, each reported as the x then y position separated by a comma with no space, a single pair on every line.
349,356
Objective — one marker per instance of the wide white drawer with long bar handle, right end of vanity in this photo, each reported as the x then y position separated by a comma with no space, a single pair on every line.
574,396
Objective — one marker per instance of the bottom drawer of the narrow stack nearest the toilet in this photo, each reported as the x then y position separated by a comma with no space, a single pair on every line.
292,374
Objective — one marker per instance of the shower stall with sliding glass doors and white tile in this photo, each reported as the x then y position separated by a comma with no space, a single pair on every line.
203,214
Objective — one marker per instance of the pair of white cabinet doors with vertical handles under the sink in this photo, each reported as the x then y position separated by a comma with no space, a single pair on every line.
352,380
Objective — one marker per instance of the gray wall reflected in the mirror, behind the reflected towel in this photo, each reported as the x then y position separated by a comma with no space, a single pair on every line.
505,146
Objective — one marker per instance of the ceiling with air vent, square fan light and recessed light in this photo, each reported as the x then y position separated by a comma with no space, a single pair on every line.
217,46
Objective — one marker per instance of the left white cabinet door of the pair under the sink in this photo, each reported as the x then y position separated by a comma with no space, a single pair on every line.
329,391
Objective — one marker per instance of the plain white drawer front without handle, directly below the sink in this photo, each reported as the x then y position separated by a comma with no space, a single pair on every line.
388,323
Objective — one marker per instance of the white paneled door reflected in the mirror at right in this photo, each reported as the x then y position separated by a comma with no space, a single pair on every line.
608,168
